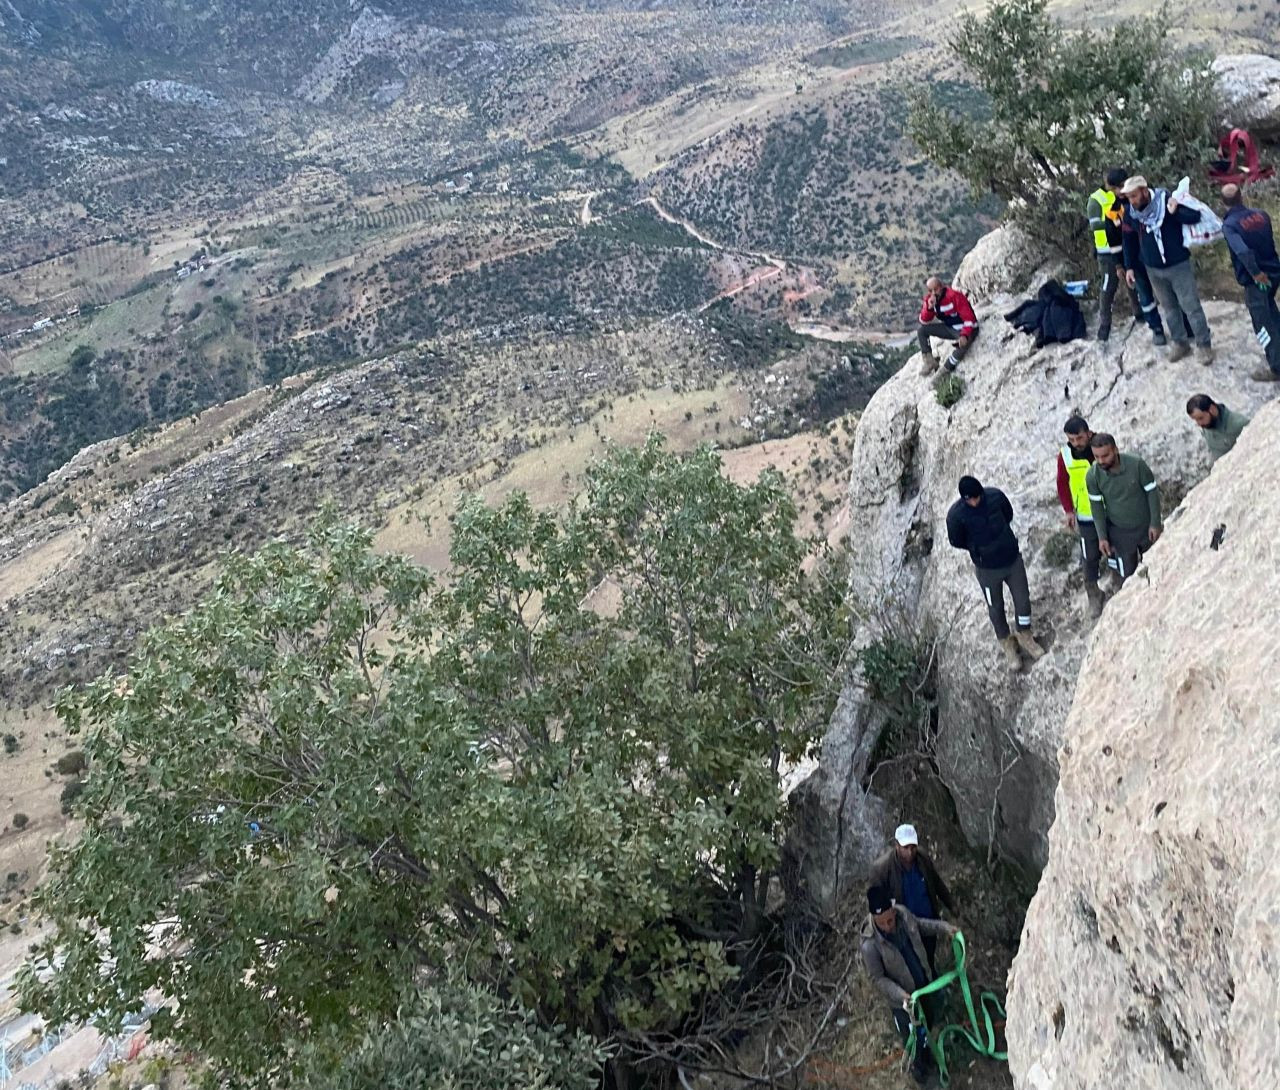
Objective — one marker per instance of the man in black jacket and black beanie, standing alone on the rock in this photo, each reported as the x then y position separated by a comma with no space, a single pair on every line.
981,523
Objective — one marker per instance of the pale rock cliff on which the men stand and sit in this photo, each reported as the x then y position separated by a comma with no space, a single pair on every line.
998,735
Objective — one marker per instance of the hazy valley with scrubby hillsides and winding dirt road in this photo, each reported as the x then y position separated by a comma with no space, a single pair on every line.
257,260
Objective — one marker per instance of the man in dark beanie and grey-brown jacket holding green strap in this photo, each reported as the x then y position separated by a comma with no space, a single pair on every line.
898,965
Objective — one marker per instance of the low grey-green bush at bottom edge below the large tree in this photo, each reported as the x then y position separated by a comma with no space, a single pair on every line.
459,1037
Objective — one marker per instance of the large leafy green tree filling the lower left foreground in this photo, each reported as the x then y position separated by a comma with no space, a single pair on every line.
556,773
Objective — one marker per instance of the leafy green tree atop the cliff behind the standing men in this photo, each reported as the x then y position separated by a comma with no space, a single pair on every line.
1066,106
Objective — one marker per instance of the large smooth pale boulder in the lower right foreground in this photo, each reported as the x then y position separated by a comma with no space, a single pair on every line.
1150,952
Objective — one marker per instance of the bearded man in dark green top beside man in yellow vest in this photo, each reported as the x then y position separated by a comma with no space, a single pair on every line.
1126,503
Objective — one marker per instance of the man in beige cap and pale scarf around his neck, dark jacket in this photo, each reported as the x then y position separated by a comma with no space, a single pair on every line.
1156,242
